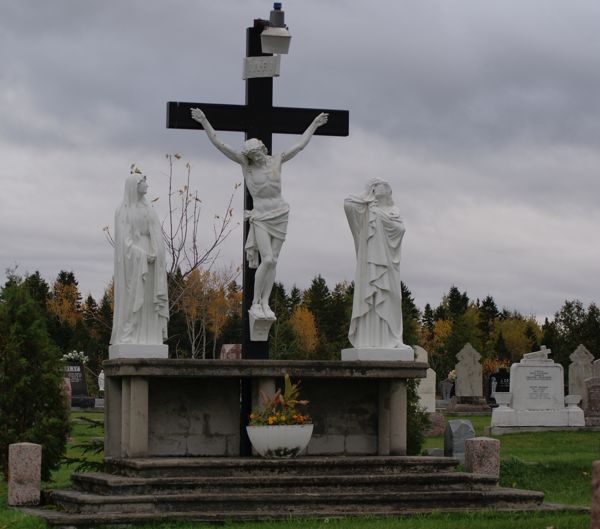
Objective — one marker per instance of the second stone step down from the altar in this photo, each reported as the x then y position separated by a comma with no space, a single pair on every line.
102,483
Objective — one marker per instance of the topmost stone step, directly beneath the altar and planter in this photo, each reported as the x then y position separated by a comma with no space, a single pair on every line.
239,466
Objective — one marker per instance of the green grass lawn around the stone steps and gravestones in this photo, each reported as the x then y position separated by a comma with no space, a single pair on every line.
557,463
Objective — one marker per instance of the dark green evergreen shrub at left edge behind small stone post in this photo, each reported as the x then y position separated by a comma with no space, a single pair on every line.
32,404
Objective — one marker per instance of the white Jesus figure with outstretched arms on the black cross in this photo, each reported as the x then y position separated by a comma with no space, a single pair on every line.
269,217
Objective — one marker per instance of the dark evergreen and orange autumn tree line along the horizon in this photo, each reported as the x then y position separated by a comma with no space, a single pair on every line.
313,323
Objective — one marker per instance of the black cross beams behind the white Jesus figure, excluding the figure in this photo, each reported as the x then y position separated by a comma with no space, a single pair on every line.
258,119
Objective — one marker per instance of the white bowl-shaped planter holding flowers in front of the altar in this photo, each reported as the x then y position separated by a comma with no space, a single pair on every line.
280,441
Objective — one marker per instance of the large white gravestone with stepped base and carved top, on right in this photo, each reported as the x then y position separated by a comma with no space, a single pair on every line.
536,399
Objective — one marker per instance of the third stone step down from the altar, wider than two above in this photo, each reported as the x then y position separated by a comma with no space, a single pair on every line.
293,503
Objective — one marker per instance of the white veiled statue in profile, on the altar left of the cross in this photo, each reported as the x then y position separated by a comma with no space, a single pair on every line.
141,308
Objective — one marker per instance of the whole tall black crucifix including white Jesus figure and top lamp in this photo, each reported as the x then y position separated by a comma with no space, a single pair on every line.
265,210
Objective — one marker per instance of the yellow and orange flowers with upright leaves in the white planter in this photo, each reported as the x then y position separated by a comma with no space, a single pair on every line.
281,408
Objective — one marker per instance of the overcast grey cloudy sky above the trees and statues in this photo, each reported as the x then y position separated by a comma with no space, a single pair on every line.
483,116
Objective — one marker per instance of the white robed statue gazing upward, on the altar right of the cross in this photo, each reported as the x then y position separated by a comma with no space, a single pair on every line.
376,324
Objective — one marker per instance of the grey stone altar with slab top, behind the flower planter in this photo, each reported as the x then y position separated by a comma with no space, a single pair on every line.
167,407
